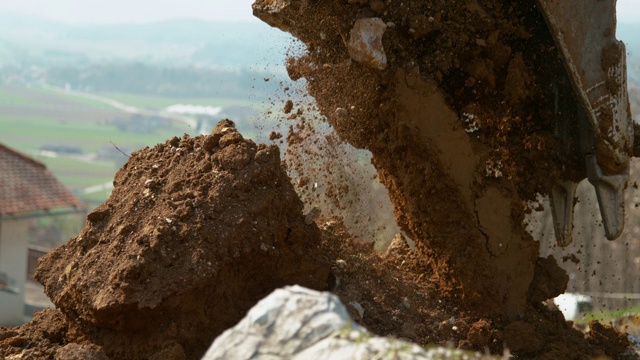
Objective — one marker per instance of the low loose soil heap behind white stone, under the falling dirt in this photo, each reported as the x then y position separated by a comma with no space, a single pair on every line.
395,293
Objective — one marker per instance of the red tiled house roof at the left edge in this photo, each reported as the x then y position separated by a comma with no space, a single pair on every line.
26,185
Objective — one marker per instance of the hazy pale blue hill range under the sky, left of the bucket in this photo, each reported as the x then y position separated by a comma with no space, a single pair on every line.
172,42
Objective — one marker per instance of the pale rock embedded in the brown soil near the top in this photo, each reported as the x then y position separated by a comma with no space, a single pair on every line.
365,43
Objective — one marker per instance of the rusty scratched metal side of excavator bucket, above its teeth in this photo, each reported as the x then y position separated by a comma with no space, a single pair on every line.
584,31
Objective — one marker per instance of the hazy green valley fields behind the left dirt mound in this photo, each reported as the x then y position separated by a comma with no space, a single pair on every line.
33,117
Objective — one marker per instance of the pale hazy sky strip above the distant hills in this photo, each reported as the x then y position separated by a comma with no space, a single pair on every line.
113,11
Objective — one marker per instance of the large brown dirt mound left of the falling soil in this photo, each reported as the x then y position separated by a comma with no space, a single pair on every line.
196,231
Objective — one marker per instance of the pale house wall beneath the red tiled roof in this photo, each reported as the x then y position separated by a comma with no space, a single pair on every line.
13,262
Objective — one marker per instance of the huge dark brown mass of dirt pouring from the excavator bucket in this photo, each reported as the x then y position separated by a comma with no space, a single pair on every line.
457,103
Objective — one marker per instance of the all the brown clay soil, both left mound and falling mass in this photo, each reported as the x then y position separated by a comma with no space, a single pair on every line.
199,229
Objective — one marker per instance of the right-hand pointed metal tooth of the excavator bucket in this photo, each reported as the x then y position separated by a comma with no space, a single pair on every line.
610,194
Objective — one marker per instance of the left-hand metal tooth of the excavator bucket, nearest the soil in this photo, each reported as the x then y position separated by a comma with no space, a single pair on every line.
562,201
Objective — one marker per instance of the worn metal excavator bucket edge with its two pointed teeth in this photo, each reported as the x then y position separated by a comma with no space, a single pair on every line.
595,61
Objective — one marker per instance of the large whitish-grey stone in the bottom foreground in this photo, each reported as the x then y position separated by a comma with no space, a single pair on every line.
296,323
